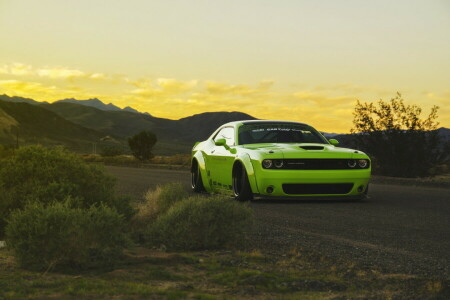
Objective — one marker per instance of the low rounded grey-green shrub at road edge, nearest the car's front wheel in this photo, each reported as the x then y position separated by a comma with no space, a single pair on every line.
201,223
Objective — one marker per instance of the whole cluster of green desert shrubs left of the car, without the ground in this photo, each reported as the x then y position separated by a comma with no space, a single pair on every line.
59,213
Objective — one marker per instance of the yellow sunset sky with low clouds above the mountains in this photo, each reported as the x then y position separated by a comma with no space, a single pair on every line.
297,60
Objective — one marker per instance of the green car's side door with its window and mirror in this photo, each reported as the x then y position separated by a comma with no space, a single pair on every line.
221,160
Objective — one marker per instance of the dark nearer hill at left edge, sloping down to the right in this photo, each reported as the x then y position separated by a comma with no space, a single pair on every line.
36,125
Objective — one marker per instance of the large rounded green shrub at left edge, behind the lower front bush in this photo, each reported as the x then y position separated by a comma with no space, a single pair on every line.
48,175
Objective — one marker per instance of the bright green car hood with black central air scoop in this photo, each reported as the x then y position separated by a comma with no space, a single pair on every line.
302,150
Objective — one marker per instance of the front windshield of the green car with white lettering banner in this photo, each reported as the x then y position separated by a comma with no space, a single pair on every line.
279,133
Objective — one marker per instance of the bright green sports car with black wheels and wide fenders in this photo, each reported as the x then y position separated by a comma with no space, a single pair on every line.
277,159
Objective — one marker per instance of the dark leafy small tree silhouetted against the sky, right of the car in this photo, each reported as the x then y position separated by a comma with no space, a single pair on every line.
401,143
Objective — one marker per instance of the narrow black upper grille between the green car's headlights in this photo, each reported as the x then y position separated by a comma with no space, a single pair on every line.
316,164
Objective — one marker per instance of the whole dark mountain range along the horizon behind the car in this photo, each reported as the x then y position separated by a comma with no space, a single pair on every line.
82,124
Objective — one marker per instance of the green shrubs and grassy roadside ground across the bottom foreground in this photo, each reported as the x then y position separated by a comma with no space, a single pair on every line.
69,236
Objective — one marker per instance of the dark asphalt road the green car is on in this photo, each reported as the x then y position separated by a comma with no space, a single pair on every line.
399,229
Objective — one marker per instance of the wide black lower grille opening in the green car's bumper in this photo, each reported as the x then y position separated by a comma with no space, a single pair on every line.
317,188
